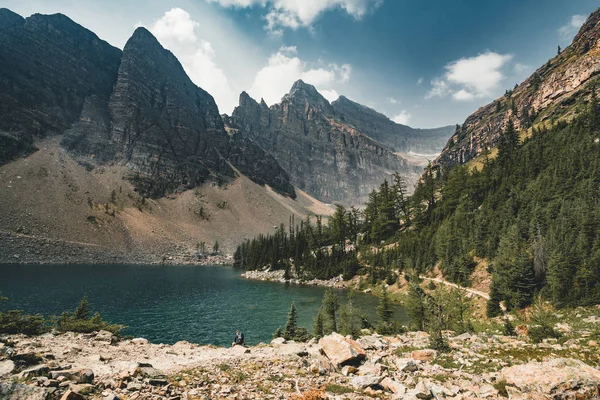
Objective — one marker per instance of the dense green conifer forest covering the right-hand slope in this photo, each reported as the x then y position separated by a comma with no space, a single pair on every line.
533,212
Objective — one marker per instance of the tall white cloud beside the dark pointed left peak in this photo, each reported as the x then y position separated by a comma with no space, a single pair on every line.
177,32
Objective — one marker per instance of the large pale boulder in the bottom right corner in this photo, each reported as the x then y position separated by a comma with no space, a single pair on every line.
555,378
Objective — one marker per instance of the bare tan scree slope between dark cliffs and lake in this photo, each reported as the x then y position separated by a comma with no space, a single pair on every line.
55,210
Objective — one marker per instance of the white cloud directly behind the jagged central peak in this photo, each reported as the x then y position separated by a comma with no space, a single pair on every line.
284,68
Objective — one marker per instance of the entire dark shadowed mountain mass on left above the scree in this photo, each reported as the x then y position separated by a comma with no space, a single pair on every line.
137,107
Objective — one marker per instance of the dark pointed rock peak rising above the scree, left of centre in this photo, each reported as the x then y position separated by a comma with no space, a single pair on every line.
163,127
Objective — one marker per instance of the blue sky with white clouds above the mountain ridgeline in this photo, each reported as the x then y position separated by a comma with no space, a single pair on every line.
423,63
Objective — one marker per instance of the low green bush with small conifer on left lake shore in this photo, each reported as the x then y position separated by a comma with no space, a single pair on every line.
82,321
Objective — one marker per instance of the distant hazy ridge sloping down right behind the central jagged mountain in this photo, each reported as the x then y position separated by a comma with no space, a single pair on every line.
400,138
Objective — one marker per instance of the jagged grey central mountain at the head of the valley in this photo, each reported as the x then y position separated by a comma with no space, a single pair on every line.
328,158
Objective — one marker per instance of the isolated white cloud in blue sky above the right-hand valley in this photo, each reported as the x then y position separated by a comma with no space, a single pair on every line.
472,77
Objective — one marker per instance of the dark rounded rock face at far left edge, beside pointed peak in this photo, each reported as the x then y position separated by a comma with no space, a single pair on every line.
49,67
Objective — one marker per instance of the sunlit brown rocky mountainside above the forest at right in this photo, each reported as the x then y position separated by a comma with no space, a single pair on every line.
556,91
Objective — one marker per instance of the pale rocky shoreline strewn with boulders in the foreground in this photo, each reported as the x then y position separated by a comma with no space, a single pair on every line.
100,366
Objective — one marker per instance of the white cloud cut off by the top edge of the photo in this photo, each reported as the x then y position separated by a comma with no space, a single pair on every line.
300,13
